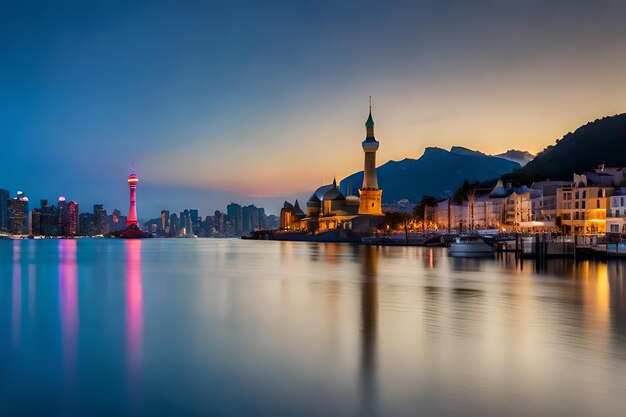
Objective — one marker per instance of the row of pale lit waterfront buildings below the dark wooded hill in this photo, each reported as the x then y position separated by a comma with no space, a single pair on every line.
593,203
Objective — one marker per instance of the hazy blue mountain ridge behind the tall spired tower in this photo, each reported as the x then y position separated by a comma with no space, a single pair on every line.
436,172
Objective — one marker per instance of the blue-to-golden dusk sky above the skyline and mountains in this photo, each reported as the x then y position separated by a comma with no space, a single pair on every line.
258,101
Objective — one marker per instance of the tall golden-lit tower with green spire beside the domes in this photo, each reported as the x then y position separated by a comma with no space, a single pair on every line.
371,196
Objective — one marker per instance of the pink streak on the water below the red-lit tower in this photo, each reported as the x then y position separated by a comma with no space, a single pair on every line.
134,307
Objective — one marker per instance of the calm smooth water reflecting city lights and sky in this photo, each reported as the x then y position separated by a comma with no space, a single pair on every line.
229,327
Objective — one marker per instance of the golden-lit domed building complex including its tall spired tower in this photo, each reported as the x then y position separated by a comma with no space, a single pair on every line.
329,209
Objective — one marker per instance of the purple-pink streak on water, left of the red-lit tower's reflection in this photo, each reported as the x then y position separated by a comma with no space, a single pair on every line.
68,300
